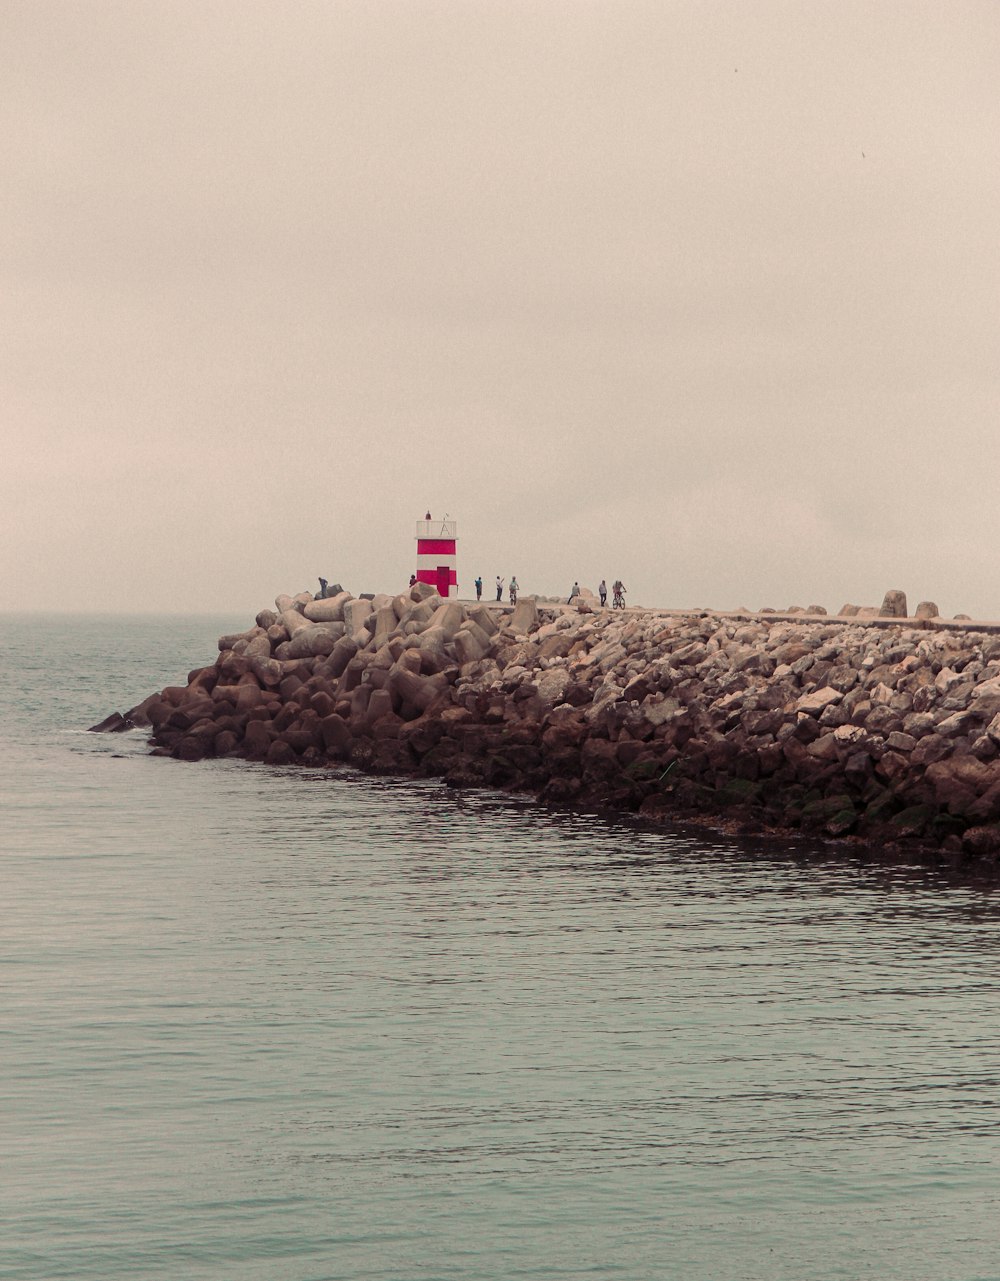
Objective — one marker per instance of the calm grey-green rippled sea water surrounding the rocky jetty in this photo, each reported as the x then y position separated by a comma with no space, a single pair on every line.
287,1025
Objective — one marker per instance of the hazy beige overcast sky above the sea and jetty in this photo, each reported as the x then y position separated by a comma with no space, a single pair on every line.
698,295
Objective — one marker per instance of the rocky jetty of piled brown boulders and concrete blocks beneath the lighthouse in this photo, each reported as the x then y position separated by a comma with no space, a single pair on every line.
874,730
